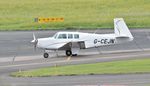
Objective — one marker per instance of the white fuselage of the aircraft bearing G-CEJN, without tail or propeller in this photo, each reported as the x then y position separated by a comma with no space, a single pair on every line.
89,39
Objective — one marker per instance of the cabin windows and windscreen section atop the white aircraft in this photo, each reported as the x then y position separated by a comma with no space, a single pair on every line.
66,35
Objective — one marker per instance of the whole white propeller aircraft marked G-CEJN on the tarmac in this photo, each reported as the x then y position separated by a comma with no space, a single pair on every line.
72,42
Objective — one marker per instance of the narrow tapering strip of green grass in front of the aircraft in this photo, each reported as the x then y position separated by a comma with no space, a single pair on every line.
116,67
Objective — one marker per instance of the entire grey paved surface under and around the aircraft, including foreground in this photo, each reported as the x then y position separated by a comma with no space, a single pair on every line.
17,54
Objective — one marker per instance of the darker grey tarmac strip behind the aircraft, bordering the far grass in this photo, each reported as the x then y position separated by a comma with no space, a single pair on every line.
17,43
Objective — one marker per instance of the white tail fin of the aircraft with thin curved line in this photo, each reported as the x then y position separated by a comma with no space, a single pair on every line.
121,30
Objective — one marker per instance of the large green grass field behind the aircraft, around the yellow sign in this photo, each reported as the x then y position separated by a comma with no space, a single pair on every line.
20,14
